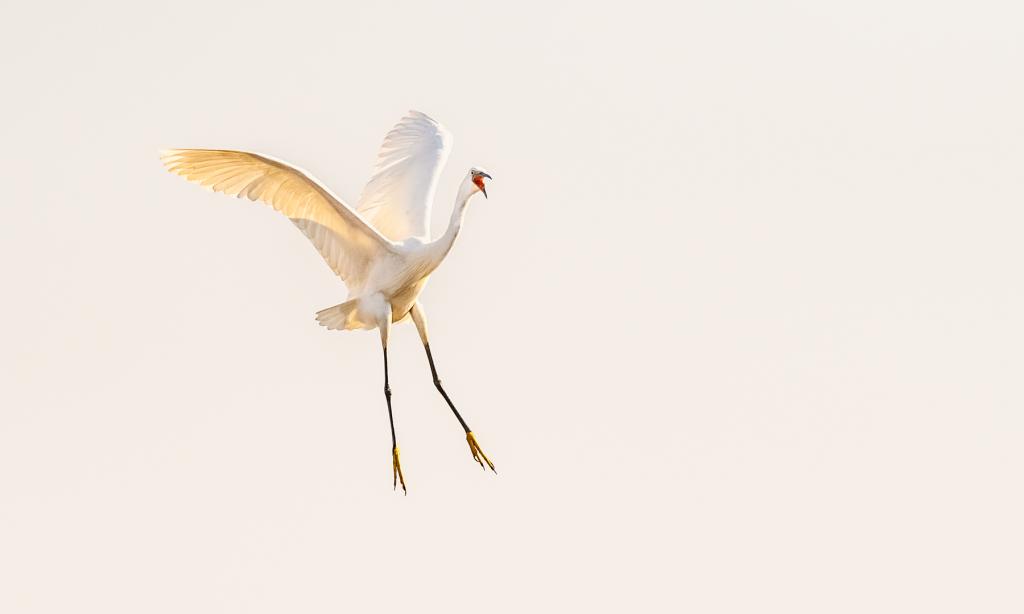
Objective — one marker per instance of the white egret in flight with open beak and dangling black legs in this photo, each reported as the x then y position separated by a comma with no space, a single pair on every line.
381,248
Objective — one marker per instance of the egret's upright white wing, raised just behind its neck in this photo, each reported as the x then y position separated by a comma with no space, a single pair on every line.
398,199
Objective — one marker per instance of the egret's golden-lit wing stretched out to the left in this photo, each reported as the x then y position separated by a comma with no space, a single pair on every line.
346,241
